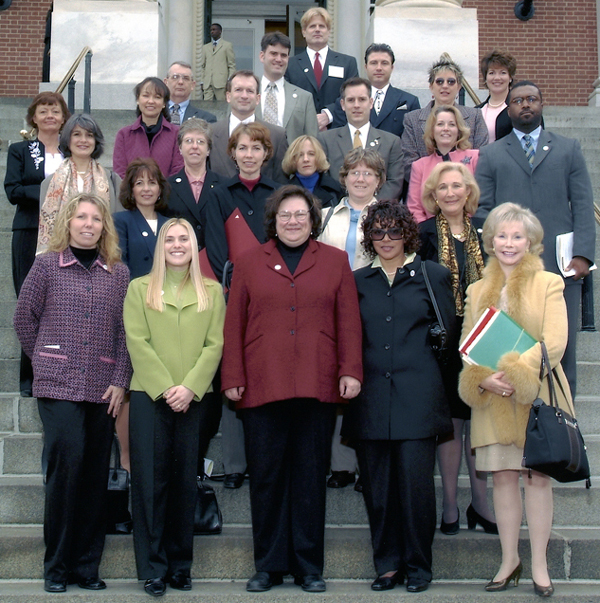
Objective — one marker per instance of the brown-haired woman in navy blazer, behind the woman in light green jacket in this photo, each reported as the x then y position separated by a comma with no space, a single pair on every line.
144,193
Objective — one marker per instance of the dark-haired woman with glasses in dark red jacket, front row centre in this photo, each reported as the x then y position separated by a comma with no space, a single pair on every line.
292,351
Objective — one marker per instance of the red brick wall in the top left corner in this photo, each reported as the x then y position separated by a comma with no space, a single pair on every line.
22,30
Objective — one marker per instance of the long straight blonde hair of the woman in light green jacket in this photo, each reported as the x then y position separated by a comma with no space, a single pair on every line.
154,295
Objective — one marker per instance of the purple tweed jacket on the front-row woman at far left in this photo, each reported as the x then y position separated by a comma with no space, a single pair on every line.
69,321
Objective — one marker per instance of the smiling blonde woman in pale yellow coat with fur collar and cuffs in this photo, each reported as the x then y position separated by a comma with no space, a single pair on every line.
514,280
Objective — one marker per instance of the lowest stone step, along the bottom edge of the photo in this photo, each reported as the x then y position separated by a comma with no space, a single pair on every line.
338,591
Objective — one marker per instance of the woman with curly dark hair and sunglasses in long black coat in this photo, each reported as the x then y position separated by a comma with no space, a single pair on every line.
402,407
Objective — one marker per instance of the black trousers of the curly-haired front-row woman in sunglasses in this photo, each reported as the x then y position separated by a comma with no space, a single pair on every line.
399,494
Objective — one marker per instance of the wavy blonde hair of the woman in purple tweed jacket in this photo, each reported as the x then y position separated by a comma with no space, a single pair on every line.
108,244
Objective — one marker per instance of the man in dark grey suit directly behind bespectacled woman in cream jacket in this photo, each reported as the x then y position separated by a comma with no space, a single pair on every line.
356,102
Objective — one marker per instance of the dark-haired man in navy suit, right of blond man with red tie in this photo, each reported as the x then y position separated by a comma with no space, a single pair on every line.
390,104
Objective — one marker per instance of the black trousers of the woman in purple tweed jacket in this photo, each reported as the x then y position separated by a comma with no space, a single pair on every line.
77,441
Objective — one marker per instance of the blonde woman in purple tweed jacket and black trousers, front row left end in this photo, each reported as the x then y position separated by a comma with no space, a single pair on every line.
69,320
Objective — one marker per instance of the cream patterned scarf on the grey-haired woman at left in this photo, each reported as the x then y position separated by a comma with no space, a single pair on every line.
62,188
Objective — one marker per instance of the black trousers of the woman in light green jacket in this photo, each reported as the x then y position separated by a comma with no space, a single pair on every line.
163,447
